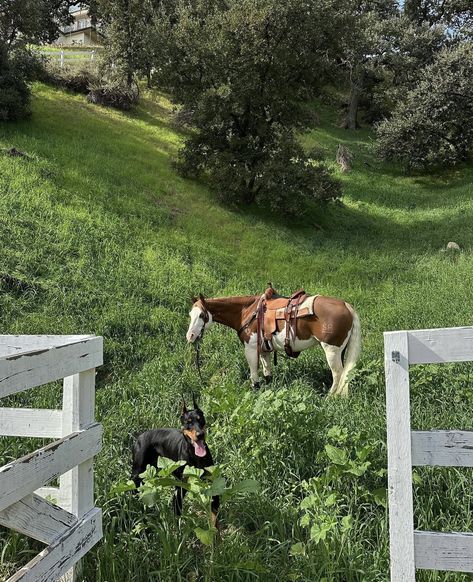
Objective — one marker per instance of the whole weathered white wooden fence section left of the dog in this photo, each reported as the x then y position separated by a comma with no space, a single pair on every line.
63,518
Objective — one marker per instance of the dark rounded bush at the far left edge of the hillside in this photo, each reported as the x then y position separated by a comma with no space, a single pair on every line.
14,91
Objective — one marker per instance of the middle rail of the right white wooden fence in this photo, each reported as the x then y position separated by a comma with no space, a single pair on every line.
444,448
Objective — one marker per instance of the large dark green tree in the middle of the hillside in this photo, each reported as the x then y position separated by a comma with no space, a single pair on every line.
240,69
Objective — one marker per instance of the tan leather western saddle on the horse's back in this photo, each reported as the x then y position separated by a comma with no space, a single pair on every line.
272,308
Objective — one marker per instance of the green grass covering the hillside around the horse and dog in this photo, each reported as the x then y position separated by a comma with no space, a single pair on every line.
109,240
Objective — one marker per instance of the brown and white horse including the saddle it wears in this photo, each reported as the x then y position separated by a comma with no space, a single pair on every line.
269,322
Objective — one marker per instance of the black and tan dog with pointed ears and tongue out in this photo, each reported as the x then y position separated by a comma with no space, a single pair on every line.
185,444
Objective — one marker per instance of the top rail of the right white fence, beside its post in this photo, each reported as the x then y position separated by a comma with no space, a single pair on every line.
432,346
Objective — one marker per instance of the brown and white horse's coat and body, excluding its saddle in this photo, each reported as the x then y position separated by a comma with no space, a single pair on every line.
334,325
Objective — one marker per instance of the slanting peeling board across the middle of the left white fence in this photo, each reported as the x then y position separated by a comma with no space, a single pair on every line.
25,475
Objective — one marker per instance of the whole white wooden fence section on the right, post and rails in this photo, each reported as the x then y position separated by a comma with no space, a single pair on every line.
446,448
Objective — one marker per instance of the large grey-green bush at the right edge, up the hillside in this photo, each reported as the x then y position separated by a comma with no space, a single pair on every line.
433,125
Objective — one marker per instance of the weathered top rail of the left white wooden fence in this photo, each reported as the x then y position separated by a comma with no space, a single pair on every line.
37,366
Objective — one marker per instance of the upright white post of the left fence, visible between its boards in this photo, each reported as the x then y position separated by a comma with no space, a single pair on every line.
77,486
